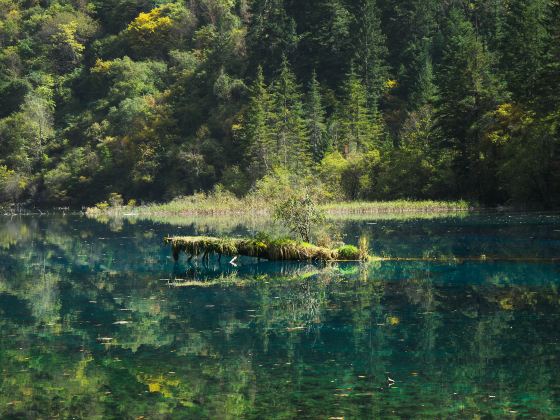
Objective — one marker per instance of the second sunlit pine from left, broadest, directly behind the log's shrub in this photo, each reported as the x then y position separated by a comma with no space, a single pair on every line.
289,128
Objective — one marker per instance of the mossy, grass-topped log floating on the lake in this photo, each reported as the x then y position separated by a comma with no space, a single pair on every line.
274,250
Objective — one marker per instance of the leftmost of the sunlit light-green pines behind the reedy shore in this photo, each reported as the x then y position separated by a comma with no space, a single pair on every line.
257,129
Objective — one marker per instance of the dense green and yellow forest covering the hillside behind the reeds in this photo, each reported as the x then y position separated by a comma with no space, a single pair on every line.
369,99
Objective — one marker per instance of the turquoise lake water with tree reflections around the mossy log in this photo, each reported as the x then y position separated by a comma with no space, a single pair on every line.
96,321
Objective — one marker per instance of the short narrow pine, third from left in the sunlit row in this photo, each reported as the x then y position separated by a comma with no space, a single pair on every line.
316,120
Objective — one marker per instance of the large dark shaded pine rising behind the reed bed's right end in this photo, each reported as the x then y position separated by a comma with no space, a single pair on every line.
467,91
